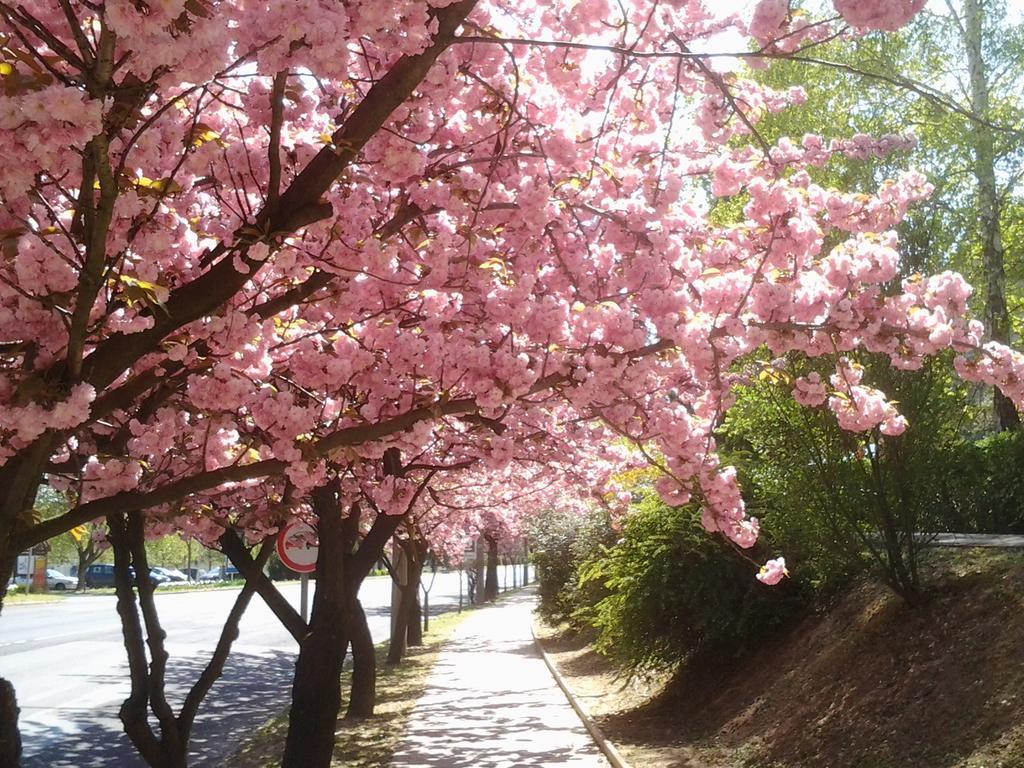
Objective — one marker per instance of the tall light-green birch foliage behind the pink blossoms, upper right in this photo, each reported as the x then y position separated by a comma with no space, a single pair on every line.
954,78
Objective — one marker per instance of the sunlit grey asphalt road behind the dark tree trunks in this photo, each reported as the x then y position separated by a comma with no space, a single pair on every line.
67,661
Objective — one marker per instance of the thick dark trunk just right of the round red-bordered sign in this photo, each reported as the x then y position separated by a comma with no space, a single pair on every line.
317,688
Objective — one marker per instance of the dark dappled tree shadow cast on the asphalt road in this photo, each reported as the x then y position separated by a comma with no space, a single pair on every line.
253,689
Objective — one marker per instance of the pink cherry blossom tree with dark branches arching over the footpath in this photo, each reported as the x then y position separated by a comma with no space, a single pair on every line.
244,262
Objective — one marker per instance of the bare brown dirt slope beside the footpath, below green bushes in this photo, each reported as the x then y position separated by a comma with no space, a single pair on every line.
872,685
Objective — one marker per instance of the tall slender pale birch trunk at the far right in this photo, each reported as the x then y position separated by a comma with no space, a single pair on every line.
997,314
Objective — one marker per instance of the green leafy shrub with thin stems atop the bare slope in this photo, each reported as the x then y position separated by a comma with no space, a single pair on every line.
840,501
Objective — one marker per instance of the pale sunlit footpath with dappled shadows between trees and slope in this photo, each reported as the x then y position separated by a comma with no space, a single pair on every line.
492,703
